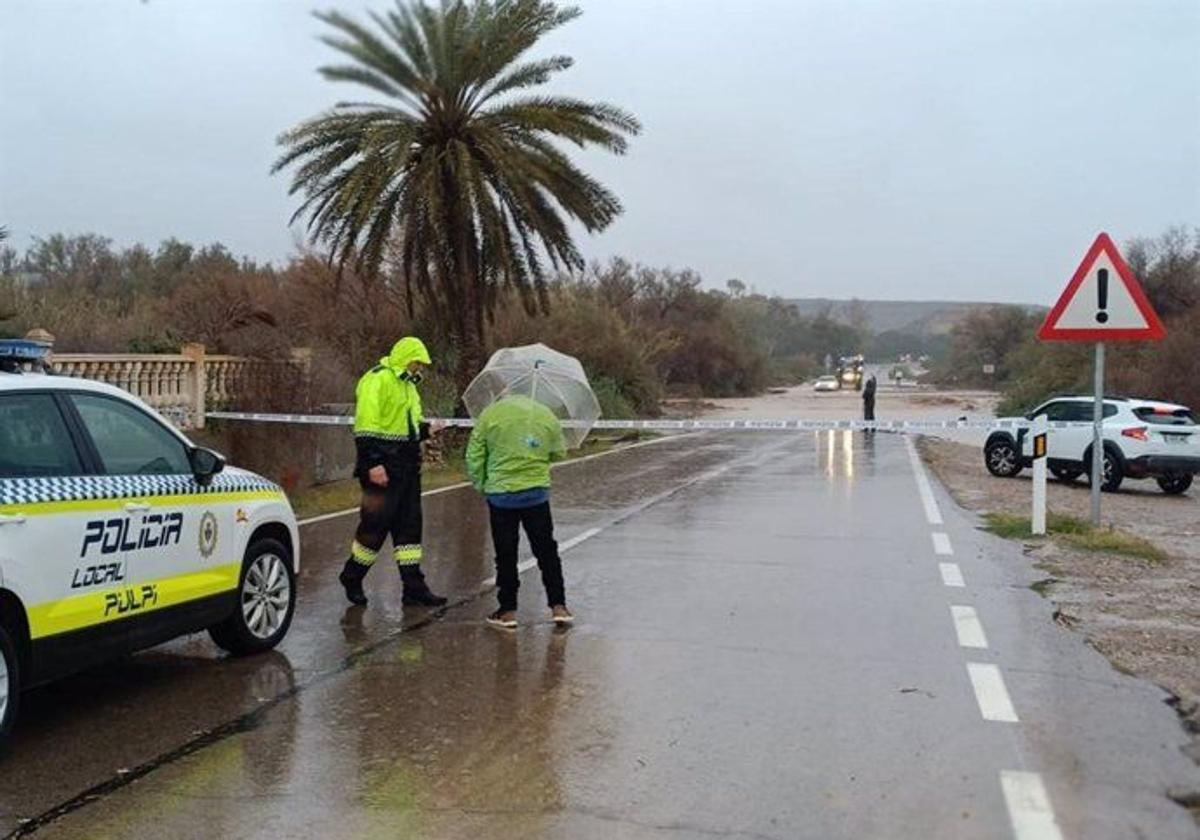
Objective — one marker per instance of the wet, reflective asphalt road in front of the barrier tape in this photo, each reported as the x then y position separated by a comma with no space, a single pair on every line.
765,649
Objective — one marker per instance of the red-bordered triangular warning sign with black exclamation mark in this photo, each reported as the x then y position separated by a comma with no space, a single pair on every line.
1103,302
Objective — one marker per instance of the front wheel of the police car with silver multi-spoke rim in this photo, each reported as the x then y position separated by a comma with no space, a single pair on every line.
266,602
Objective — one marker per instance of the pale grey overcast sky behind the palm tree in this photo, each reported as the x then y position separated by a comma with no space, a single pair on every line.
893,149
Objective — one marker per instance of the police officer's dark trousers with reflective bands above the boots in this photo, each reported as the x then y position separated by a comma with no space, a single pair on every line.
395,511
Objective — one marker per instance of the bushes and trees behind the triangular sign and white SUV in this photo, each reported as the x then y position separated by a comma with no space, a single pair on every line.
1029,371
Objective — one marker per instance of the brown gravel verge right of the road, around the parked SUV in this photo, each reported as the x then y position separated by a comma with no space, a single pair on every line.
1144,617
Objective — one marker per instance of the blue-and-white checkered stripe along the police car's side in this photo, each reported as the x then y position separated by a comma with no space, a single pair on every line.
87,488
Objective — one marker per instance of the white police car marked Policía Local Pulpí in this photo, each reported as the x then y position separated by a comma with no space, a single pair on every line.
117,533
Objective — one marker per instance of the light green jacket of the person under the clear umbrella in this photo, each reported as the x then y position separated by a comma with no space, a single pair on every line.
514,443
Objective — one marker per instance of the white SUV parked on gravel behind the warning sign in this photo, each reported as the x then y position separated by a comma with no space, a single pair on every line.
1143,440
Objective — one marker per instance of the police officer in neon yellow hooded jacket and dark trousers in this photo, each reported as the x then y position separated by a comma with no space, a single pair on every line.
389,429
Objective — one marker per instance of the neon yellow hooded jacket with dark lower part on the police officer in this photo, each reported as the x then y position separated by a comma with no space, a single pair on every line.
388,419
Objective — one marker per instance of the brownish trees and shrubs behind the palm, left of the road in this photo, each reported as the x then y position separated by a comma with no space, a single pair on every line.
643,333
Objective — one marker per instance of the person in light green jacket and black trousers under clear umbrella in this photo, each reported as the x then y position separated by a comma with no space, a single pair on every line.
508,459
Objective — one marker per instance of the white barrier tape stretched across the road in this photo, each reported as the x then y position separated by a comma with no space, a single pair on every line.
693,425
